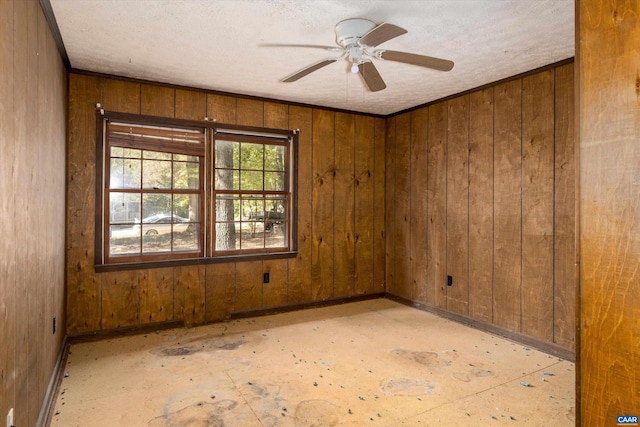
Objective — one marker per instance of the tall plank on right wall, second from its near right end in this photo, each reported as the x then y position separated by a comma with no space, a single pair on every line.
537,204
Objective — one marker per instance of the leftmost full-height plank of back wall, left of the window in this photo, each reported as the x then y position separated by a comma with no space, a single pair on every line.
83,301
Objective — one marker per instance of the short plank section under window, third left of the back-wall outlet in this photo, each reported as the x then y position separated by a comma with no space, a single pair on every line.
189,294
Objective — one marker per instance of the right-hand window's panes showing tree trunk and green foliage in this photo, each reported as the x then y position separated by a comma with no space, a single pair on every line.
252,195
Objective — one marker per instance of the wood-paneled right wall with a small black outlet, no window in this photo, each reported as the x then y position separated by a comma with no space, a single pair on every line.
481,188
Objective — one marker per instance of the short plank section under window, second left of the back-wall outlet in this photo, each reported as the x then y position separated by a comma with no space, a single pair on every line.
220,291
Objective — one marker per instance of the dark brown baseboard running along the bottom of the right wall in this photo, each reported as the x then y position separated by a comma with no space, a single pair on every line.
537,343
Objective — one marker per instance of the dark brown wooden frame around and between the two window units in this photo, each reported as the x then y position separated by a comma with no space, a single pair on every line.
207,253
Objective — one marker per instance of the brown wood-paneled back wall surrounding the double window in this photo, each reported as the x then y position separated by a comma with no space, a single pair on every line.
340,214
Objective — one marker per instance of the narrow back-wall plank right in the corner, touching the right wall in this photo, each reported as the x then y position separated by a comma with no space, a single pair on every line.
380,209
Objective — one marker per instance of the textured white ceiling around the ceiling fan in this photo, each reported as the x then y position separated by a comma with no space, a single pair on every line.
215,44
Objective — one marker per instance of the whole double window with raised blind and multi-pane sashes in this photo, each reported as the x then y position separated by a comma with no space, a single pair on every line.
183,190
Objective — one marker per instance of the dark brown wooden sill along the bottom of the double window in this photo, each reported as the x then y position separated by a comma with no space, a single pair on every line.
104,268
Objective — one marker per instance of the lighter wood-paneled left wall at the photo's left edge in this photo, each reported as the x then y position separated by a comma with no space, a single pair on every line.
32,163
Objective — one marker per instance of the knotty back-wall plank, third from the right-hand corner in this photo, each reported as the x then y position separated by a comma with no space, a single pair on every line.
344,206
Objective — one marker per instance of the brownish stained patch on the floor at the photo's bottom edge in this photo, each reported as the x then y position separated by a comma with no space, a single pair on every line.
201,414
